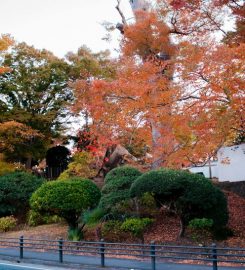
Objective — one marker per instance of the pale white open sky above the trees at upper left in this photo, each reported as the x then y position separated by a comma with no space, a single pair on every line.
61,25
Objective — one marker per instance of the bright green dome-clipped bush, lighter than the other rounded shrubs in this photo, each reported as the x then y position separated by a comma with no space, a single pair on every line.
66,198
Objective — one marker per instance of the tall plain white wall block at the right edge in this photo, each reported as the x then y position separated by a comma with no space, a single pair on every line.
231,163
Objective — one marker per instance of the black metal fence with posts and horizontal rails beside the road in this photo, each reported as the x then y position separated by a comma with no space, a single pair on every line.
152,253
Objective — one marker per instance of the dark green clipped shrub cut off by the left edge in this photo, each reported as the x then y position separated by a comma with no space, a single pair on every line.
16,189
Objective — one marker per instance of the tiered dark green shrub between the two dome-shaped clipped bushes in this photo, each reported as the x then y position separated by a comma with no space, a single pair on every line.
117,186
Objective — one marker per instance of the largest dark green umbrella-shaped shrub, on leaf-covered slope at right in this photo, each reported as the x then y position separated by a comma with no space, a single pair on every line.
188,195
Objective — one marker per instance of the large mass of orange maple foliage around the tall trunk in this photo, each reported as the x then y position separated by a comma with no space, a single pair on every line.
175,82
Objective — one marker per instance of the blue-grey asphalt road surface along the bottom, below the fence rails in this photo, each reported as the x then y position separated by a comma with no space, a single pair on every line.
85,262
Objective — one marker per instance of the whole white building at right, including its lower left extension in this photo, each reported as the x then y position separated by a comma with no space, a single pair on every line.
229,167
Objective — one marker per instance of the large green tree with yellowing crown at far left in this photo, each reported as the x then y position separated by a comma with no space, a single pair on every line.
34,92
